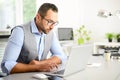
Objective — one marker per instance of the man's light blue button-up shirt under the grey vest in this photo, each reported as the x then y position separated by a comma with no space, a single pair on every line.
15,44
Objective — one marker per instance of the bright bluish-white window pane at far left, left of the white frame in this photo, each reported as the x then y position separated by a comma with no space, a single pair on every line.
7,12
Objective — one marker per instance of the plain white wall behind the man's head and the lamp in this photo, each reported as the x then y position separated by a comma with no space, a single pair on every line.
74,13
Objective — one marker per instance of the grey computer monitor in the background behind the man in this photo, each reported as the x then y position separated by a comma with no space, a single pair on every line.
65,34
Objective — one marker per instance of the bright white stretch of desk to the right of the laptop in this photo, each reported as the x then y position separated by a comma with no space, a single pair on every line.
107,71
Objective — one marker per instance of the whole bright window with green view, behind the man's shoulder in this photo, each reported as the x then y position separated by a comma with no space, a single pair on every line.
16,12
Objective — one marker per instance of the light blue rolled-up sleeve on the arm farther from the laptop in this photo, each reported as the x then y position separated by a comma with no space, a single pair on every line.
12,50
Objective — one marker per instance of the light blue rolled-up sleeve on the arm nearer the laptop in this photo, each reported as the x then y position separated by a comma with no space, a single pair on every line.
56,50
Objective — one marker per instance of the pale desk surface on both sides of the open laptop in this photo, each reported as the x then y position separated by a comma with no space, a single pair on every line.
108,70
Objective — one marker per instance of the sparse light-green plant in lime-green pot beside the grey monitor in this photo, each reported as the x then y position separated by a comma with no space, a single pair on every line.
83,35
